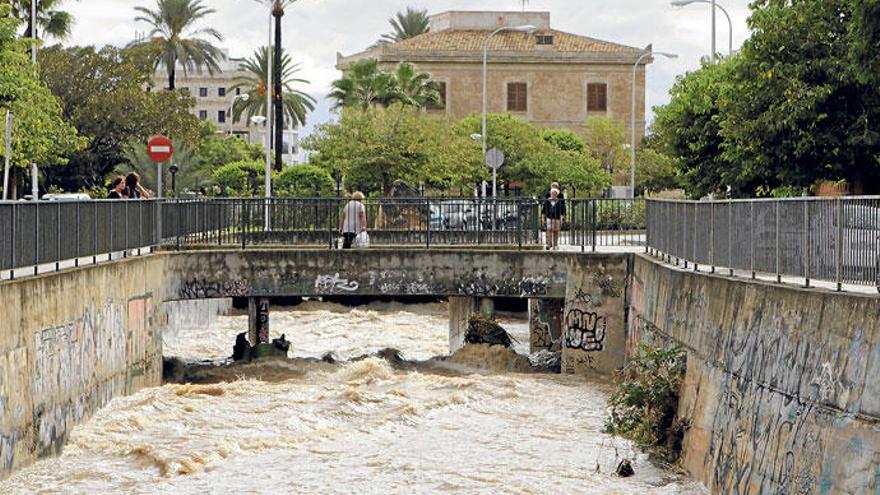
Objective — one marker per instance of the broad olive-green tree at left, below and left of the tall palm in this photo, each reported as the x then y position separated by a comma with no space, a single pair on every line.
101,94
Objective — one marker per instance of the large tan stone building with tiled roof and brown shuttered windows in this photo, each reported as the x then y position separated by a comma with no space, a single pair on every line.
550,78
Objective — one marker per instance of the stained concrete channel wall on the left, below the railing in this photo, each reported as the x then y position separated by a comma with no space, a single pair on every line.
69,343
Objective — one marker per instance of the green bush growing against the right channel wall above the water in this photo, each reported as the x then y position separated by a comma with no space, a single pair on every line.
643,409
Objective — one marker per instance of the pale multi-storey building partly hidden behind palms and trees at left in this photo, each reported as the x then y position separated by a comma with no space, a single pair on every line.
214,96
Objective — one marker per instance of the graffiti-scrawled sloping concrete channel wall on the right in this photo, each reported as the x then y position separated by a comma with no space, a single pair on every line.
782,387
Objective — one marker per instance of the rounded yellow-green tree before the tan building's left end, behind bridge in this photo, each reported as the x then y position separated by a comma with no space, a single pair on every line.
374,148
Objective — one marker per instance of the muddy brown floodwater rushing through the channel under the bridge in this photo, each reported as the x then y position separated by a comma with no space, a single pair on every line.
473,423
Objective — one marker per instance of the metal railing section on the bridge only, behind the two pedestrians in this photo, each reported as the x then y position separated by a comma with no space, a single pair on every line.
425,222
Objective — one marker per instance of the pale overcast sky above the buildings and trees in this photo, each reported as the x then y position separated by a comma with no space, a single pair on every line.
314,30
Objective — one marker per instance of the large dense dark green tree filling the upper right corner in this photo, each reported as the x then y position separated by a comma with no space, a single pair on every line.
797,105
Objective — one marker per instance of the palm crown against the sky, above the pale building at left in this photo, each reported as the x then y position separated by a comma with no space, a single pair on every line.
177,39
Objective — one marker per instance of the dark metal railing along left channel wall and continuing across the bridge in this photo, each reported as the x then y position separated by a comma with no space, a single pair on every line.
40,233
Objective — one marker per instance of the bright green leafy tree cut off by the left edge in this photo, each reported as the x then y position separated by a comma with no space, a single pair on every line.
40,134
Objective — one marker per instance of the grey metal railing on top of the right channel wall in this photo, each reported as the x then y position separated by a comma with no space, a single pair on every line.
833,239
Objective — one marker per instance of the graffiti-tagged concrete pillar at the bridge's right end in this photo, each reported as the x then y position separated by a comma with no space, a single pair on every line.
594,331
